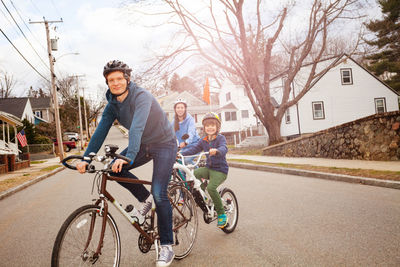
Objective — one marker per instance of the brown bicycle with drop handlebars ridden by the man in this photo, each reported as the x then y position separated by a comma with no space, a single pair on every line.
90,236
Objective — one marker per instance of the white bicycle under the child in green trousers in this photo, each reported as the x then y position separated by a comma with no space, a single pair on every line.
184,174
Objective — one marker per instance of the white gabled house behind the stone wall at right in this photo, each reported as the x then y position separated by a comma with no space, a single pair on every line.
345,93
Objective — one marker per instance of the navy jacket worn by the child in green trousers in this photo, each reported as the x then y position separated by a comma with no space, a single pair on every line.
217,162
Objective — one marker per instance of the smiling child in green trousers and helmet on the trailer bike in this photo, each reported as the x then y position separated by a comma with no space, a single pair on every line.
216,169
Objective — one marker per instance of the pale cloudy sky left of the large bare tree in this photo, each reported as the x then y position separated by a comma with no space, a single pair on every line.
99,30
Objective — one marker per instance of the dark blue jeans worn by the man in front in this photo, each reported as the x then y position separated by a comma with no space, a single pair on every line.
163,156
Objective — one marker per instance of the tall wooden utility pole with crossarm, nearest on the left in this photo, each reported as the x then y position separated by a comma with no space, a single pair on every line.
53,86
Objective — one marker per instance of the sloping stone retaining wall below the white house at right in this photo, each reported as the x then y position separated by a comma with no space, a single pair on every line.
375,137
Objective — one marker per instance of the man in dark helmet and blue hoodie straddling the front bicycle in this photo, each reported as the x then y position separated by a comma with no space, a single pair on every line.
151,137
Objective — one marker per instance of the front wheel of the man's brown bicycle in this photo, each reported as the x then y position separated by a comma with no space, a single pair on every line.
79,236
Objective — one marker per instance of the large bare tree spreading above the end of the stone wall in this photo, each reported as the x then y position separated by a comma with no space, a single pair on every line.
252,49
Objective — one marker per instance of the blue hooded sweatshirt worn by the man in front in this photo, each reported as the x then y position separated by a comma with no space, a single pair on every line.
141,114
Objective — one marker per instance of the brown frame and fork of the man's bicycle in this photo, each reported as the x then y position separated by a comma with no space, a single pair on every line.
105,196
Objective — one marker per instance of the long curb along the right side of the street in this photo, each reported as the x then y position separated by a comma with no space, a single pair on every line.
320,175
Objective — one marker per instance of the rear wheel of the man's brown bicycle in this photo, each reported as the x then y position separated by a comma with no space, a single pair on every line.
184,219
